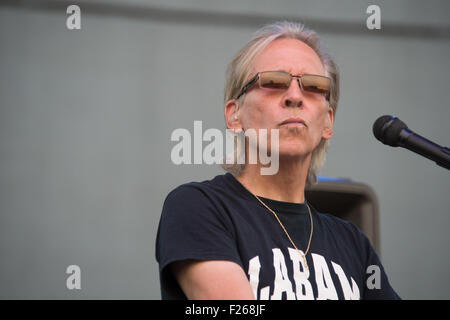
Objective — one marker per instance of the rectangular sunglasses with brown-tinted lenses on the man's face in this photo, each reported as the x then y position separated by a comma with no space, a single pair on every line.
282,80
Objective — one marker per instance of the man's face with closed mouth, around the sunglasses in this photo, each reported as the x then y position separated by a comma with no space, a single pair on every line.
268,108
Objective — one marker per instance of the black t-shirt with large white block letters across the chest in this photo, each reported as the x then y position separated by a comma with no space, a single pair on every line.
219,219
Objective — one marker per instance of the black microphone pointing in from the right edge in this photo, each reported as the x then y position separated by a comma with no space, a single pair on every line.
392,131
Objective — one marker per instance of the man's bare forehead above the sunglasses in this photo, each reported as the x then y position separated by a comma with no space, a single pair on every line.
290,55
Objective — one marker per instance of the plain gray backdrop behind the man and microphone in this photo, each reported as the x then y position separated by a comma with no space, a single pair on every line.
86,117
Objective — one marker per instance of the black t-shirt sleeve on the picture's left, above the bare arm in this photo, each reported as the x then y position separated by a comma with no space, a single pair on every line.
194,226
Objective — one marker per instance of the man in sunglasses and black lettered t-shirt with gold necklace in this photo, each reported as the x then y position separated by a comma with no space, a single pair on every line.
251,236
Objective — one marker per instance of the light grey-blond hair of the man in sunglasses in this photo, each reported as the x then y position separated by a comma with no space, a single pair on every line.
239,70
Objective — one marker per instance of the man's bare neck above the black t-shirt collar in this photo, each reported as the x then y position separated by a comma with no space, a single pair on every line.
288,184
